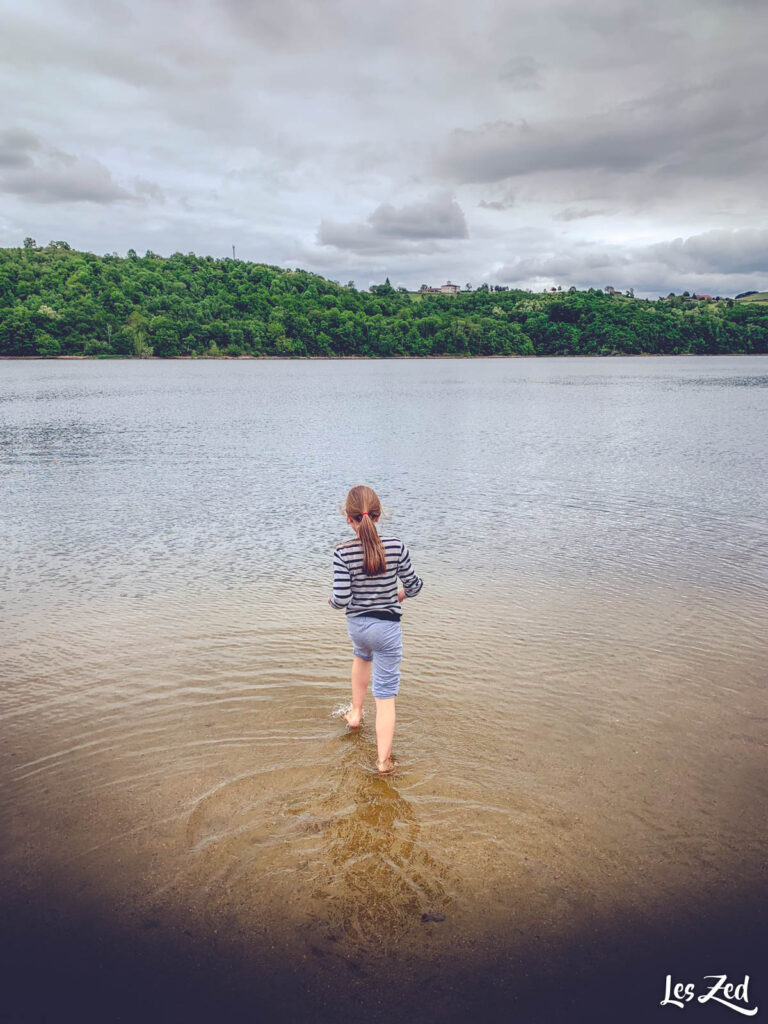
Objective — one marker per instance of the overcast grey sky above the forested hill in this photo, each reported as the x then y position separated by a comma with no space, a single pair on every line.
591,144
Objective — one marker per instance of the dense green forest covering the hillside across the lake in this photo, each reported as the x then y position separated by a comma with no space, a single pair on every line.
58,302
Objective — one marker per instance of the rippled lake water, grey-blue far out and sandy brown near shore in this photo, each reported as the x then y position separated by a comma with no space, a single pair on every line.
583,721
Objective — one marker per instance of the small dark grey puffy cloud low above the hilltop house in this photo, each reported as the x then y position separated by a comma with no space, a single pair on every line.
389,229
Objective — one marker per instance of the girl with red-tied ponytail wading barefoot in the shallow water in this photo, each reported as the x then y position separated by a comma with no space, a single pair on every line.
366,573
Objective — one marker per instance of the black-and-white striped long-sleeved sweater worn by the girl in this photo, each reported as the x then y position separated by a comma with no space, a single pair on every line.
362,594
